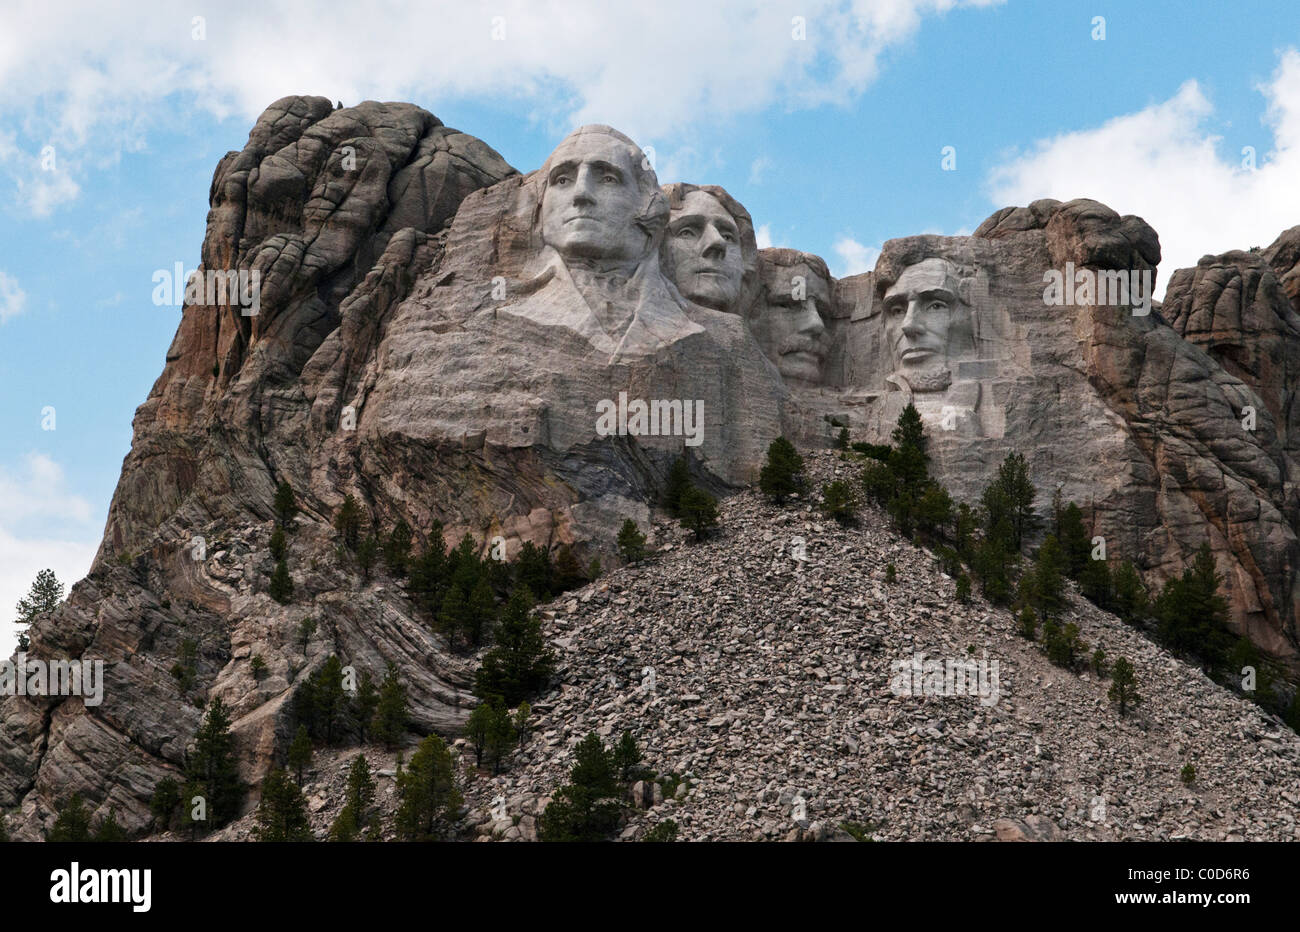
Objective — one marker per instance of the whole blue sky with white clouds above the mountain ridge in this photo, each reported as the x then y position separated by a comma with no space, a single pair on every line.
833,142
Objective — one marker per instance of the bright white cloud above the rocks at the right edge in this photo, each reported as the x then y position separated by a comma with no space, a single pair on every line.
1163,166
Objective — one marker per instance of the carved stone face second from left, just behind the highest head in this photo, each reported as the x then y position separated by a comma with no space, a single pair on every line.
704,241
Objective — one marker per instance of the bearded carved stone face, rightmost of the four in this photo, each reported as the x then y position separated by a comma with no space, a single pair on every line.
918,313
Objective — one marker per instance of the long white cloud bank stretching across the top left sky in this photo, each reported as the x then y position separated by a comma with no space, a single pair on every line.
93,83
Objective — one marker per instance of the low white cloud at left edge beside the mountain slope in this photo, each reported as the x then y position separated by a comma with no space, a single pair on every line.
42,526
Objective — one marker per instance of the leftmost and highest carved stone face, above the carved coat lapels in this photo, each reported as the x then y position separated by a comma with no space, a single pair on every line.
592,200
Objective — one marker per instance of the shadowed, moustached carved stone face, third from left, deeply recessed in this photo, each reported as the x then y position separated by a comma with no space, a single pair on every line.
790,327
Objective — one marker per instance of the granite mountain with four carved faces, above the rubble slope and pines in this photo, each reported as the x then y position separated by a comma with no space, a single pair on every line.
525,357
